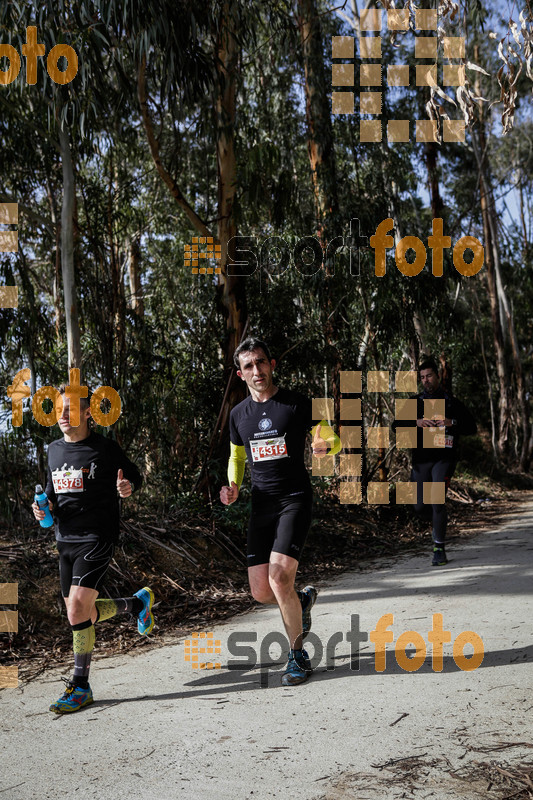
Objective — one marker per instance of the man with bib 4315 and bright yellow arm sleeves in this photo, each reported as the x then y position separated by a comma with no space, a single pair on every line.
269,430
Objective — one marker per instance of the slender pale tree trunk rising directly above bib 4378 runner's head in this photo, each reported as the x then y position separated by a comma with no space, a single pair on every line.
67,253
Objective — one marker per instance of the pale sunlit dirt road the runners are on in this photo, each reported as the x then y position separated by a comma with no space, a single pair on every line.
163,730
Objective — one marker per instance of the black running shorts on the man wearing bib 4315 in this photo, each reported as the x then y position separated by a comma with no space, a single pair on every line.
279,525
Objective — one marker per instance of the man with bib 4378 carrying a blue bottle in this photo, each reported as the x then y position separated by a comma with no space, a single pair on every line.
85,472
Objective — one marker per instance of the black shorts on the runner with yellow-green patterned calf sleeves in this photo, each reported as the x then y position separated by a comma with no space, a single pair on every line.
83,563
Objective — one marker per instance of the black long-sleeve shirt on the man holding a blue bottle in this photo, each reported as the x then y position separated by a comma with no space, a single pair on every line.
82,484
